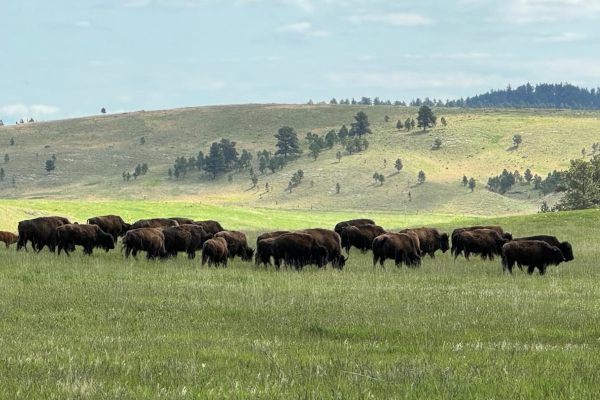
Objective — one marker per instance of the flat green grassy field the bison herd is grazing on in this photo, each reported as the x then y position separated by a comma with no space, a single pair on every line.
104,327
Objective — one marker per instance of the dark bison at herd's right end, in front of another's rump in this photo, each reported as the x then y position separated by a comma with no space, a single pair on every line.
532,253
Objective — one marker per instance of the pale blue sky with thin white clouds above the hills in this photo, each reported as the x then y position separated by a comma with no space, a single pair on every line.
69,58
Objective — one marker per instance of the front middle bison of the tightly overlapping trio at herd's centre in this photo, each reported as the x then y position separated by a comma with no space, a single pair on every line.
298,250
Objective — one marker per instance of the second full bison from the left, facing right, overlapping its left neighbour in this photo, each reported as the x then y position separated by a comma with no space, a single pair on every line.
88,236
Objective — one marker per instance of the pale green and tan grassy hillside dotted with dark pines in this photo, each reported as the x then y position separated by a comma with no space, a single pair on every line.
93,152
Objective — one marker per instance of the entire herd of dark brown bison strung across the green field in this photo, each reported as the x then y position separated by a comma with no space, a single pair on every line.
166,237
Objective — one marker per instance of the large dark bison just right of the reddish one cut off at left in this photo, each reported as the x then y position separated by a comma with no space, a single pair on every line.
40,232
